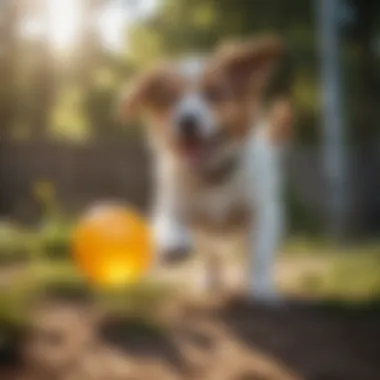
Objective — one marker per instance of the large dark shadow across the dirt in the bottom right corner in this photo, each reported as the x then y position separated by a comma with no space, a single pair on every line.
327,340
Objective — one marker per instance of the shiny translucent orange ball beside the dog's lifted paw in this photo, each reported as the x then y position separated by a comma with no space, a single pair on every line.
112,246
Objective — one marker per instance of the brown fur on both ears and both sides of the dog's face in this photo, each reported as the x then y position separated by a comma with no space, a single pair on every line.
232,86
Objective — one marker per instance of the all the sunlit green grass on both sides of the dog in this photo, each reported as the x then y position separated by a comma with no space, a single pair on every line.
310,267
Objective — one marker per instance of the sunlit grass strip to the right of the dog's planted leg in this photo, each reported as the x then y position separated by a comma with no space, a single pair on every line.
325,271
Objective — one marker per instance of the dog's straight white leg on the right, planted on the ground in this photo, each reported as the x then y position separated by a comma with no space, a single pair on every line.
266,231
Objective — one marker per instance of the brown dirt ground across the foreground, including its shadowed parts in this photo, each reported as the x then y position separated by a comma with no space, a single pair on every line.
228,339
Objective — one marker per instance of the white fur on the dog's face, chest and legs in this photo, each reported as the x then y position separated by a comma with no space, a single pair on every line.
256,183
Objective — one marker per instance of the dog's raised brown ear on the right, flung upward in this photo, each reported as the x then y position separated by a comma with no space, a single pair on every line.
252,61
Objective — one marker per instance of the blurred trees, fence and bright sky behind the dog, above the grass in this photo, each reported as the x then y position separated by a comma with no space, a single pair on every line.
64,63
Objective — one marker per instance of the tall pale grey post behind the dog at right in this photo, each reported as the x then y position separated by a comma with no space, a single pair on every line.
334,150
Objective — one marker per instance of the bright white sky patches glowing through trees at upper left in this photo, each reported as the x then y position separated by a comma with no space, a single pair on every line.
64,20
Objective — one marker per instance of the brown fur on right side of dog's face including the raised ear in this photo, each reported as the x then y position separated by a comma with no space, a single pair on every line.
235,79
